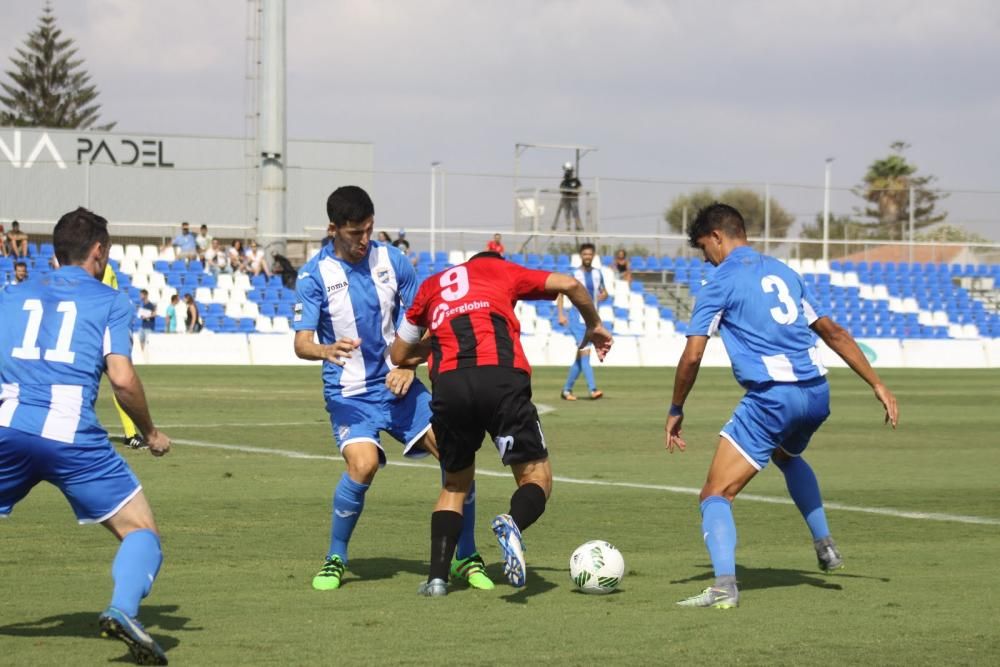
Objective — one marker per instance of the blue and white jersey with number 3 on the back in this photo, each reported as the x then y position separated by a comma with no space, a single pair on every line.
763,311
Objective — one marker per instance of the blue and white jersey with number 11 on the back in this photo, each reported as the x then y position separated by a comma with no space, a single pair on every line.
56,331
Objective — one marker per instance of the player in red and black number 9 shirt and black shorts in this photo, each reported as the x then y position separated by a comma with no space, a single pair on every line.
482,383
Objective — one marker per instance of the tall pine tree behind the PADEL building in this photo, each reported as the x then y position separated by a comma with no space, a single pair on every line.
48,86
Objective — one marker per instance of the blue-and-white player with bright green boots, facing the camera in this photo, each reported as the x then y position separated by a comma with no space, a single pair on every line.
351,295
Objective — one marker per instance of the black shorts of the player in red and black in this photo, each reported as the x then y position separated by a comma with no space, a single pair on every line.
469,402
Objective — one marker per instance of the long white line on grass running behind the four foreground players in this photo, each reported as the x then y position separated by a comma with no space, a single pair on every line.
881,511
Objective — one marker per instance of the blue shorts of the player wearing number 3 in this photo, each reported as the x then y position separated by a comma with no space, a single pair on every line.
782,415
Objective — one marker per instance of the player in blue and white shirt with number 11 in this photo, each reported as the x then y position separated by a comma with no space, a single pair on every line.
59,333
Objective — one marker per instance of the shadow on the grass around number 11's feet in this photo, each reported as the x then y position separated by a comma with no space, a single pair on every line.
84,624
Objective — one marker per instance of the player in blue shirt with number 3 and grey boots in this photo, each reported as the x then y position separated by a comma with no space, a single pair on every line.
769,322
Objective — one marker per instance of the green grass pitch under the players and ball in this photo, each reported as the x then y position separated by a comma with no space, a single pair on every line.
244,531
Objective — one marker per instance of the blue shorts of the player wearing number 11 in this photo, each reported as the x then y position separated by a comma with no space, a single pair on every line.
95,480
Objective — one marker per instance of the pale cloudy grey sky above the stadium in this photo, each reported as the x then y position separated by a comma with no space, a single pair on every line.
678,91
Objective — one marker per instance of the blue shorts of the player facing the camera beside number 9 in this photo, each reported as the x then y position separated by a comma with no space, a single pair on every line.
360,418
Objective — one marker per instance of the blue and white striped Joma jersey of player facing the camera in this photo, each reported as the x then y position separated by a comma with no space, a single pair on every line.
366,300
